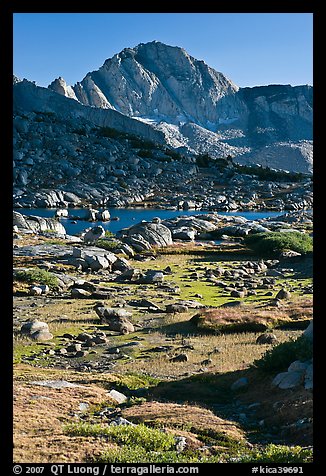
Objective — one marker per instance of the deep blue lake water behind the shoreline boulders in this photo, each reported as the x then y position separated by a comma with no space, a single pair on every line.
130,216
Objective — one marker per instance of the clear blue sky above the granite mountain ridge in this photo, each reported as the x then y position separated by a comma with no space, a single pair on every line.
250,48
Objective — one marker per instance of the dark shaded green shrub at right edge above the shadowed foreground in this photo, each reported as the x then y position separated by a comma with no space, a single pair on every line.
280,357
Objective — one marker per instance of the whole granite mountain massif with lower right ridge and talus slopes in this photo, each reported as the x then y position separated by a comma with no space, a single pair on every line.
199,109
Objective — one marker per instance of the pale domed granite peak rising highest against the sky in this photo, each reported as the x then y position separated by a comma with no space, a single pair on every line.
158,81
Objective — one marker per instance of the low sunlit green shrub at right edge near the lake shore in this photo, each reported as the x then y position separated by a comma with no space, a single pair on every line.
275,242
